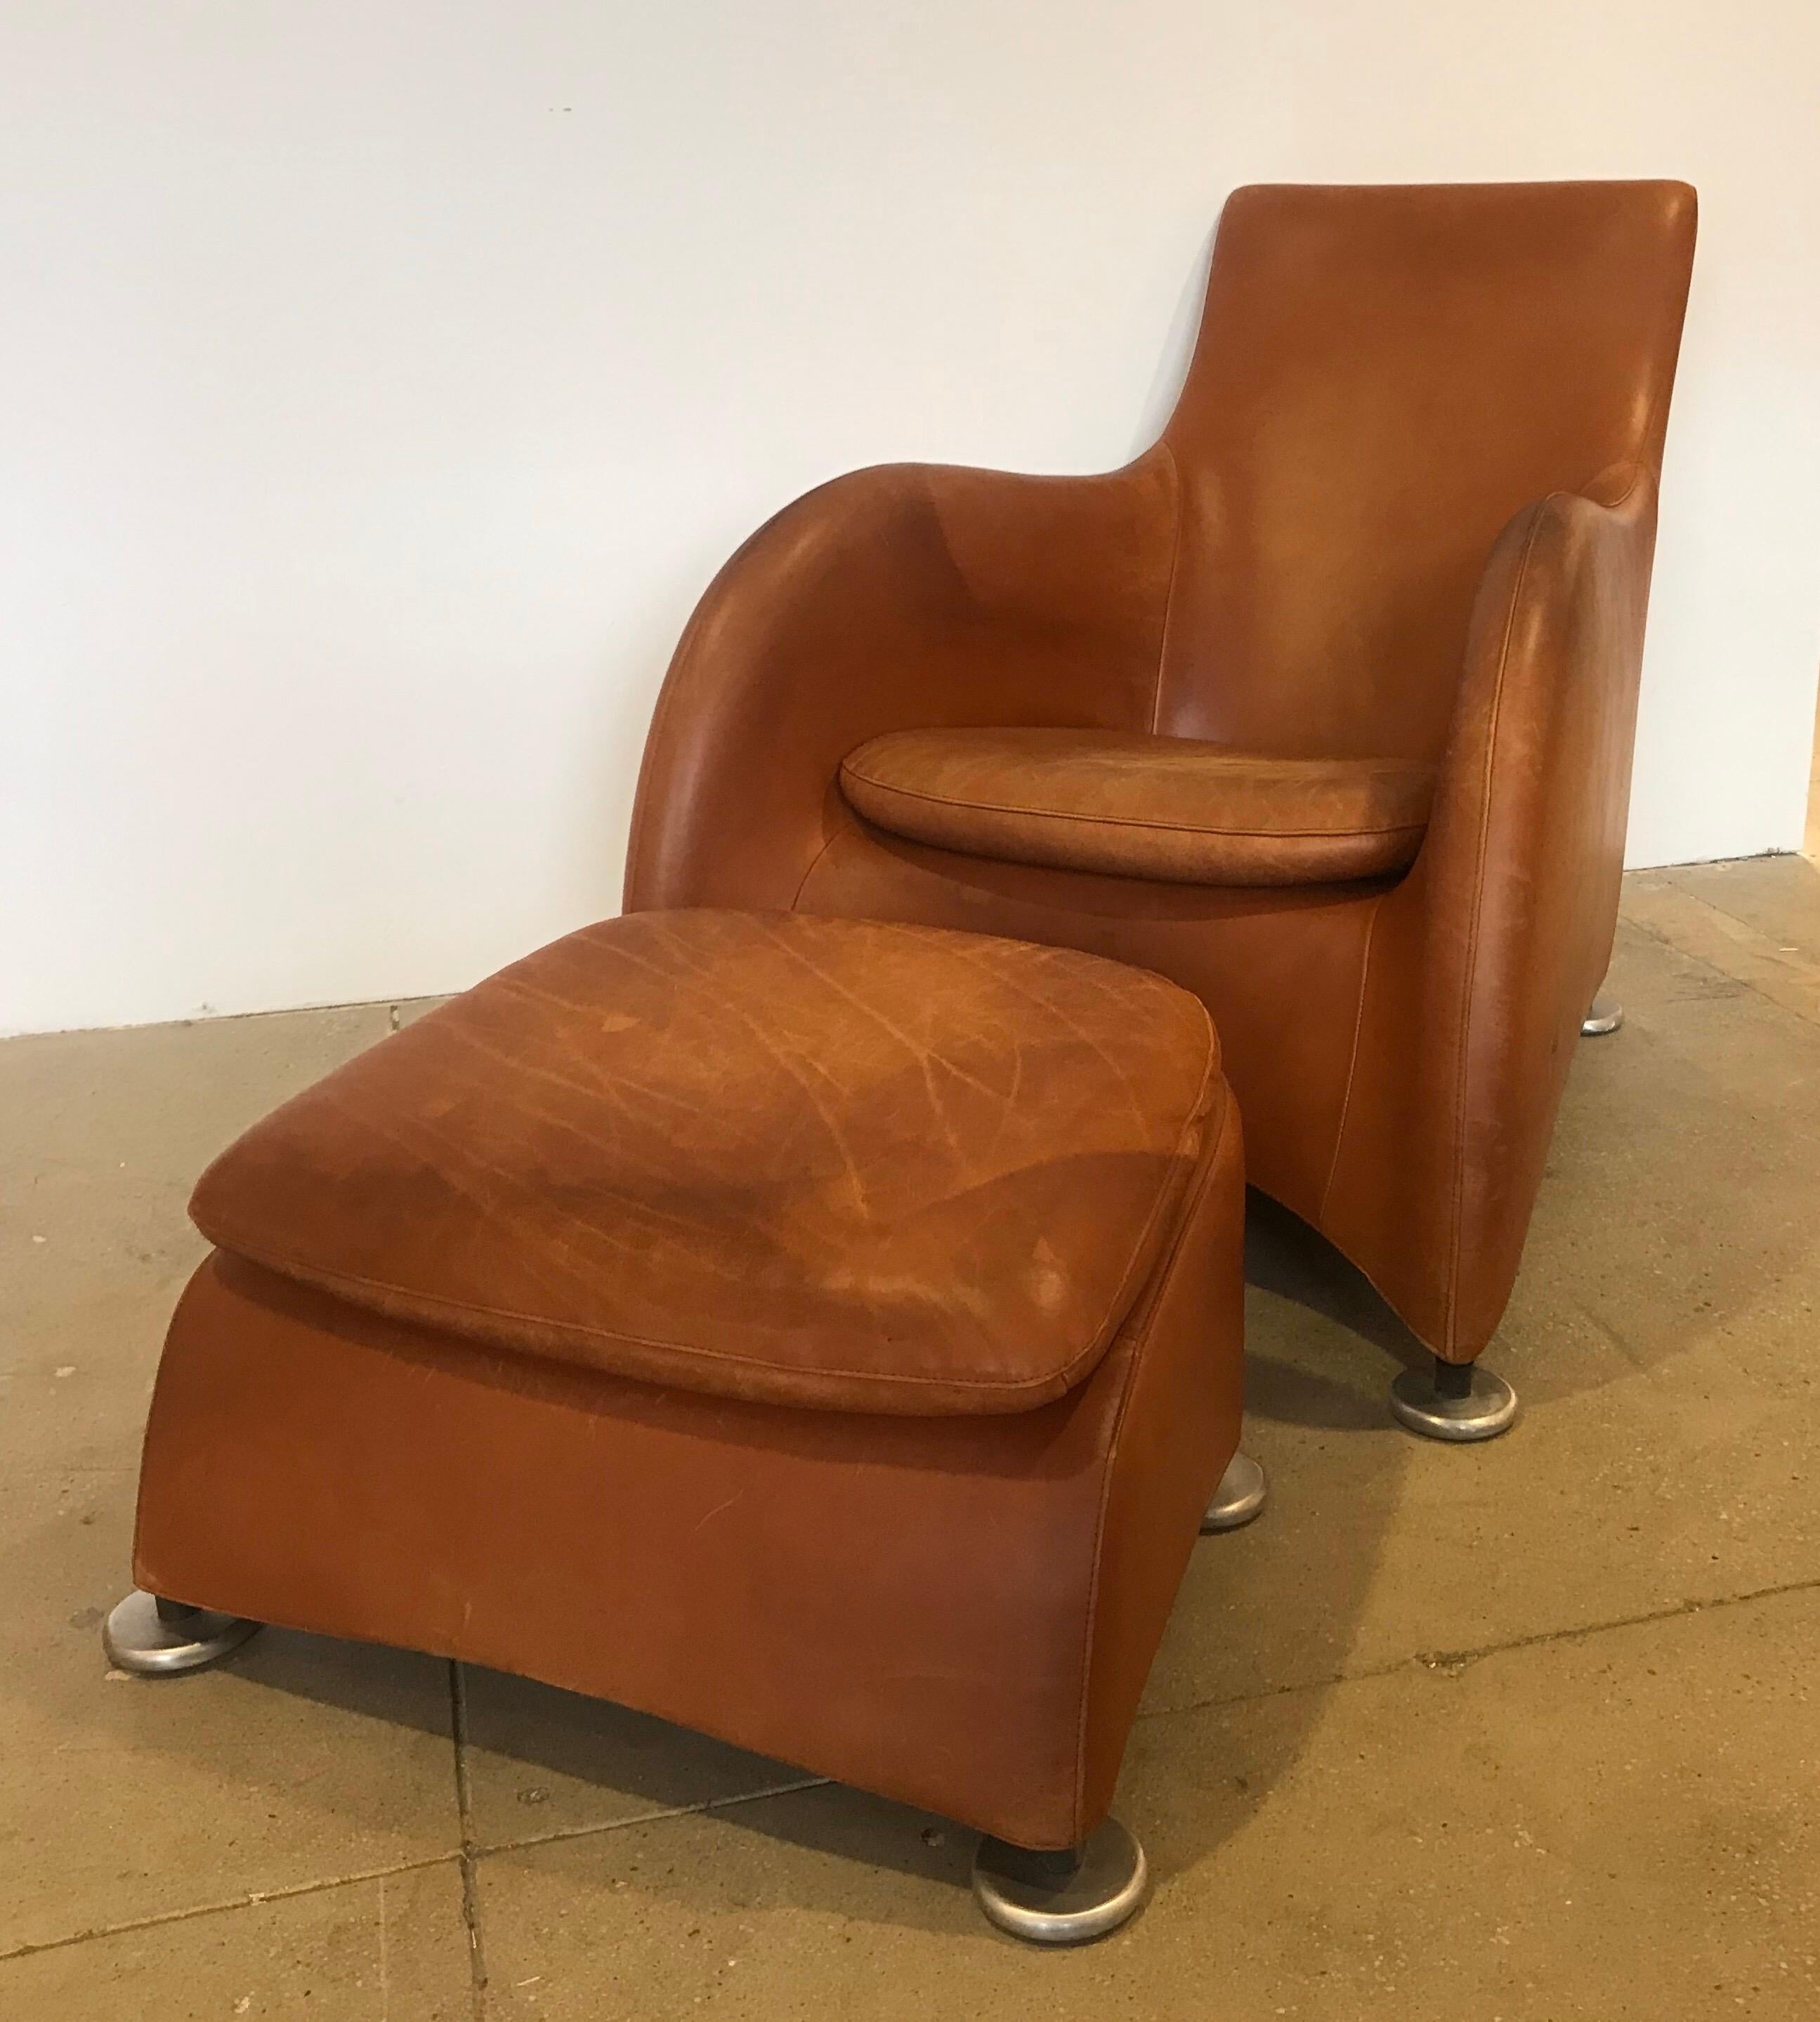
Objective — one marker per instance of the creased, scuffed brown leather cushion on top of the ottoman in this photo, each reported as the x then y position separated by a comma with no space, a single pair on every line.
814,1162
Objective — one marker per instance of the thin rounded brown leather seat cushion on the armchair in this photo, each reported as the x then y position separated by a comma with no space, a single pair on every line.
1137,806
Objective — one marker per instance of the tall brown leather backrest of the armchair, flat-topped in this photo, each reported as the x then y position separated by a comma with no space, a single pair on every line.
1384,377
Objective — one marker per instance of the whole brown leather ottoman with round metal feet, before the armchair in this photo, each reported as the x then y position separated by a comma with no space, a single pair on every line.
812,1331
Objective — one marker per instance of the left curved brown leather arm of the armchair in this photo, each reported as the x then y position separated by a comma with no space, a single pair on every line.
897,598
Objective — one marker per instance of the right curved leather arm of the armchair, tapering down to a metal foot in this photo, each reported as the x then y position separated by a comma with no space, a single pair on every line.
1487,957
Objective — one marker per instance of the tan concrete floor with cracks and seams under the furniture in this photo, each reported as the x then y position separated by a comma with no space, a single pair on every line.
1510,1734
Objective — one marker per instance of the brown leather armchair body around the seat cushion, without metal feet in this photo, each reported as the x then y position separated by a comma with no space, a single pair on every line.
1404,513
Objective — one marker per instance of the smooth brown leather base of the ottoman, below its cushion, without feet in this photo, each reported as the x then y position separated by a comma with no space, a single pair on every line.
958,1613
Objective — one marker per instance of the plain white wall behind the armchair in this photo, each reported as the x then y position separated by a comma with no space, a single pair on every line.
387,377
